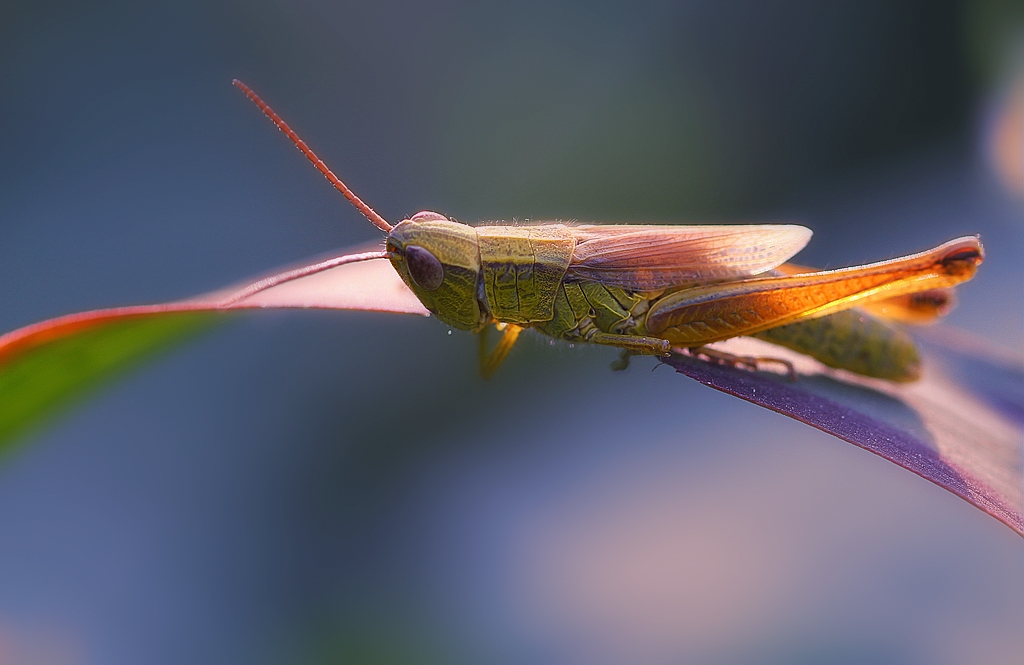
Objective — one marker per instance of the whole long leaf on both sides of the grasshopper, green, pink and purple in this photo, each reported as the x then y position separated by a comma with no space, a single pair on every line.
960,427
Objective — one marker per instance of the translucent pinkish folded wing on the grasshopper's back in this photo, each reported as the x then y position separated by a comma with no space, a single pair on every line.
649,258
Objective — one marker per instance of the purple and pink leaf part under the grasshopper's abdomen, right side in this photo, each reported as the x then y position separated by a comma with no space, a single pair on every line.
964,436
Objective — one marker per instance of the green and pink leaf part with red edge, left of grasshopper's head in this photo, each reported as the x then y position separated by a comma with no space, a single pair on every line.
46,366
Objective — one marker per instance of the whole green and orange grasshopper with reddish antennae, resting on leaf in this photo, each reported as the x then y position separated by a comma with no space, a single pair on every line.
657,289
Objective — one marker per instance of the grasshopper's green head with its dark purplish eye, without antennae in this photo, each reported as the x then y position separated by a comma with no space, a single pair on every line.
440,260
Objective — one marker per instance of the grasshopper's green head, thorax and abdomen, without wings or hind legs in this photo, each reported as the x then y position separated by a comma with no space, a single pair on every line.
519,275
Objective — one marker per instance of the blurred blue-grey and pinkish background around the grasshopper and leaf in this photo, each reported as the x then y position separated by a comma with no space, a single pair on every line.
343,487
